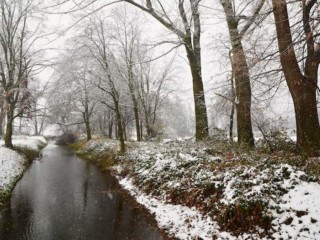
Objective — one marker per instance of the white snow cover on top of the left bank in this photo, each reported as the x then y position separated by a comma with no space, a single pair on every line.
12,164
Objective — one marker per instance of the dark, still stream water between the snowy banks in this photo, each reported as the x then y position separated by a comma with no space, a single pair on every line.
62,197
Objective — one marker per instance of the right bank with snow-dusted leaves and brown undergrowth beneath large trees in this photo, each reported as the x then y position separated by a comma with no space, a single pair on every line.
213,190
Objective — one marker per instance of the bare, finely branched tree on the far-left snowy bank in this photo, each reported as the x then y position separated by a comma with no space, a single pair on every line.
15,61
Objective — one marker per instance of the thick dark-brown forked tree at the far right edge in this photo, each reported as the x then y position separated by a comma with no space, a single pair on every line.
302,81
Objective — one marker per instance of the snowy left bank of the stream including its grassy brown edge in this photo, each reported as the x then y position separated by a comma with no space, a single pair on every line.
14,162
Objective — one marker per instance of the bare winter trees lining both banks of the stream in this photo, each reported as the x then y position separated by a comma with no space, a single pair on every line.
112,69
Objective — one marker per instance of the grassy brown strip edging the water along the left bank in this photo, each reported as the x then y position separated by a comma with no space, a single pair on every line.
29,155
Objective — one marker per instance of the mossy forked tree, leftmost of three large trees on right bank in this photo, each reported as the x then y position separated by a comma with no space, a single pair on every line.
188,30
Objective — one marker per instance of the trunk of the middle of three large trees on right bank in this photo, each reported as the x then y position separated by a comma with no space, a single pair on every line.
242,79
